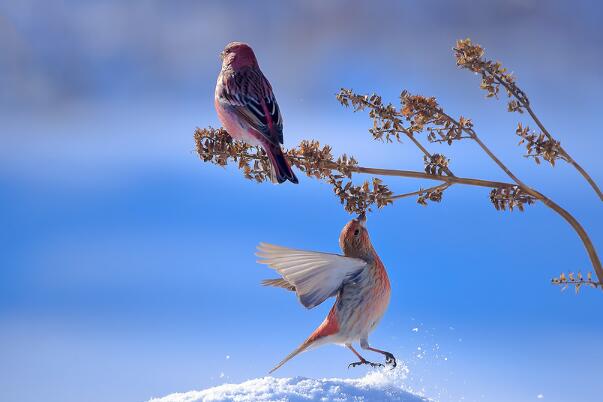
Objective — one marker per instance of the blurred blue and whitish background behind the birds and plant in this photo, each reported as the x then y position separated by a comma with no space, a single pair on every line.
126,264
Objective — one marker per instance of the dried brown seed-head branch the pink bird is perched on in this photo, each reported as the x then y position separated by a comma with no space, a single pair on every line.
216,146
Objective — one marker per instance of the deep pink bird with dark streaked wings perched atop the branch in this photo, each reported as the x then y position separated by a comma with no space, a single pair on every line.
247,107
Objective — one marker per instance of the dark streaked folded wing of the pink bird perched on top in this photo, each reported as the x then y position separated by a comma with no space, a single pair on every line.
249,95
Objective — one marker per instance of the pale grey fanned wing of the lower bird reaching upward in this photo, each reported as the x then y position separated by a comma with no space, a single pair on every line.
315,276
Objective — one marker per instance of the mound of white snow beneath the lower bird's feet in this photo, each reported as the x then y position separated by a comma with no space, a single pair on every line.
378,385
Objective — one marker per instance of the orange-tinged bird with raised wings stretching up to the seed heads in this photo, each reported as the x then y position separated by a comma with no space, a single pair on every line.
358,279
